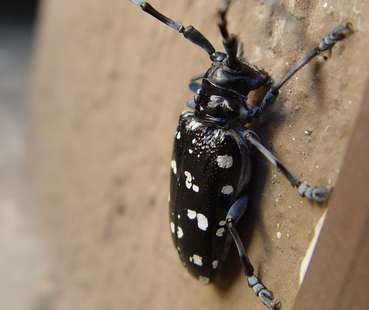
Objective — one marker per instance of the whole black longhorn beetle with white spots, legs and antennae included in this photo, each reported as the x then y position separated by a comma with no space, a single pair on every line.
211,156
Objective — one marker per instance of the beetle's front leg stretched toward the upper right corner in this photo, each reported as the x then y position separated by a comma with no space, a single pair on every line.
338,33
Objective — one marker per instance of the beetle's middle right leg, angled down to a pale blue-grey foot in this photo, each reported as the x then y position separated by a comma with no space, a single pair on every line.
314,193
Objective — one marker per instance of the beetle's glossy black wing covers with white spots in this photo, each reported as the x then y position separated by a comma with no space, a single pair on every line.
210,169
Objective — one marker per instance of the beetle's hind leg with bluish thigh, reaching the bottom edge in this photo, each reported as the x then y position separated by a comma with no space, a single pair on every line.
234,214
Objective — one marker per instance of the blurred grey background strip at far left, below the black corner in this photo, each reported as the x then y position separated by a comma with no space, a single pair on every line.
24,260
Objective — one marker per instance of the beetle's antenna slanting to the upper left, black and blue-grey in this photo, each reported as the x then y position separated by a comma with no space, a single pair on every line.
189,32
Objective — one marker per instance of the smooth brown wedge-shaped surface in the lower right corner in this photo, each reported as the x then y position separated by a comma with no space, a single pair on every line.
341,283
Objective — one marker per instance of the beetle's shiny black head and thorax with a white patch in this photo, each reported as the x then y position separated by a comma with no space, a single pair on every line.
224,92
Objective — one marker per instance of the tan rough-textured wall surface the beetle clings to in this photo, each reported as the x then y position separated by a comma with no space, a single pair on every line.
109,84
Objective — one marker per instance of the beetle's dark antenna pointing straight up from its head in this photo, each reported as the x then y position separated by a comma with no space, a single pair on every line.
230,41
